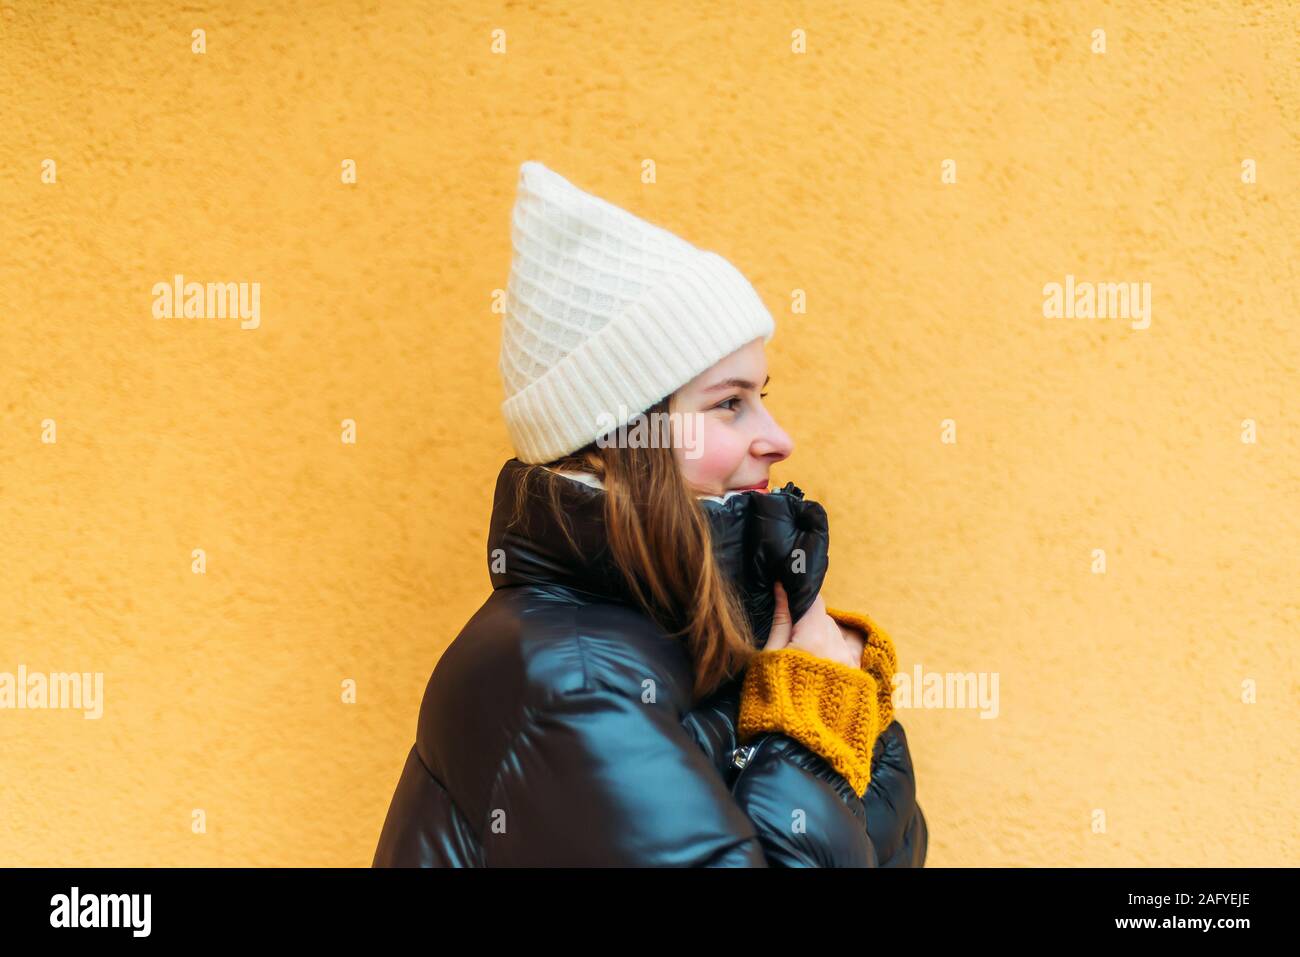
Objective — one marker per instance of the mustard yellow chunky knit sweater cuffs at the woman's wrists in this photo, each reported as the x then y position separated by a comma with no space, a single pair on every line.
838,712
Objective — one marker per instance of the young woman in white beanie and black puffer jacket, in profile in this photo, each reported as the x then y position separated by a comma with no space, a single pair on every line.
656,679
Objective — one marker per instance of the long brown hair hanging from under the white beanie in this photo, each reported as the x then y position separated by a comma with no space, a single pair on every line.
662,544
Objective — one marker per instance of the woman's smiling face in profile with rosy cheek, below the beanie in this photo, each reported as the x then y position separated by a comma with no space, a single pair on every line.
736,441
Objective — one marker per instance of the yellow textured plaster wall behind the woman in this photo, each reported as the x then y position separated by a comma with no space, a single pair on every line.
1123,735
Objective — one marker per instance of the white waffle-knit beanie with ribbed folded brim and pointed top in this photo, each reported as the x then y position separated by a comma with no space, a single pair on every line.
605,315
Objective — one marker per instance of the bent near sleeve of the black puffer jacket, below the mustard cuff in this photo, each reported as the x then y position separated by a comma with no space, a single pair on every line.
601,778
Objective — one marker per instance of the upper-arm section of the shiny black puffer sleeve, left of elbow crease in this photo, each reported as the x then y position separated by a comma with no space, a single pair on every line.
603,778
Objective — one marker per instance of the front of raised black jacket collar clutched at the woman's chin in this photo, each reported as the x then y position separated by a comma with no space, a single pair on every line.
761,539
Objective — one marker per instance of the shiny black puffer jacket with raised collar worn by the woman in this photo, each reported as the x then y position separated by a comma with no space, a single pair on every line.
558,729
